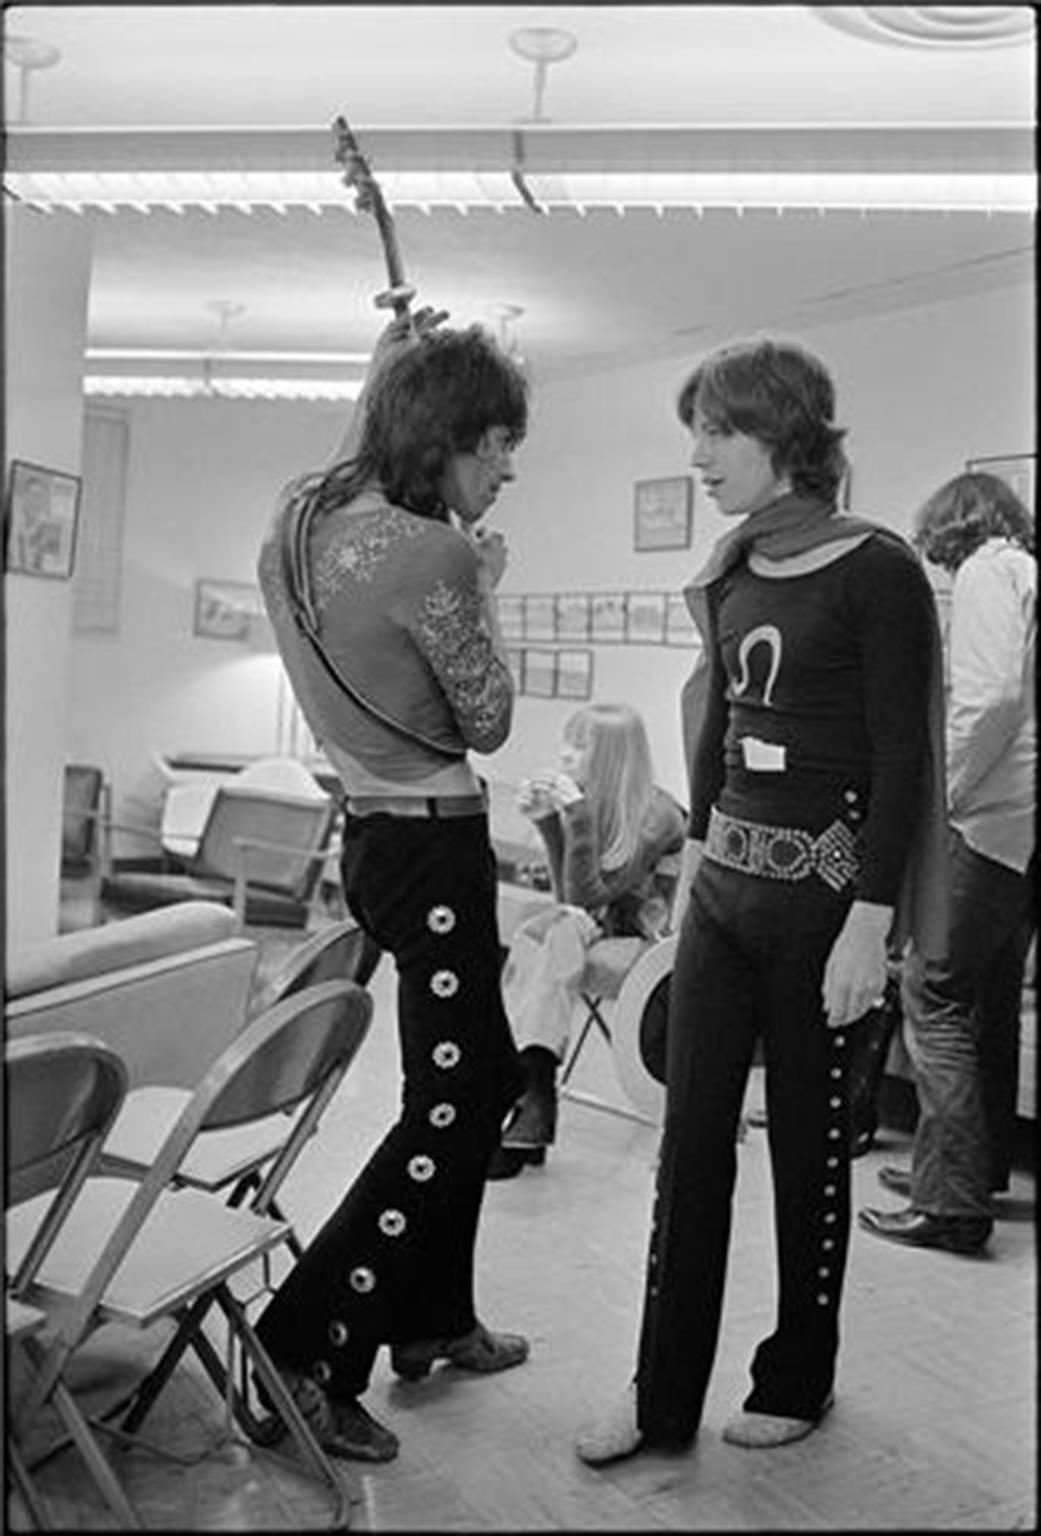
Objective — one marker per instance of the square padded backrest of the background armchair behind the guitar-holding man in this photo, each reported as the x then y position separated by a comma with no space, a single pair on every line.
299,830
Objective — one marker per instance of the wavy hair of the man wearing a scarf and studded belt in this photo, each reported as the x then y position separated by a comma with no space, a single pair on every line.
781,396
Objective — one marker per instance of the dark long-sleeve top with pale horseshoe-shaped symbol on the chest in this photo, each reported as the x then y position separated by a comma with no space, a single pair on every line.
828,674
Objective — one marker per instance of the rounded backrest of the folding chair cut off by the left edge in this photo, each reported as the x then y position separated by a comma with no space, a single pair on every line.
64,1093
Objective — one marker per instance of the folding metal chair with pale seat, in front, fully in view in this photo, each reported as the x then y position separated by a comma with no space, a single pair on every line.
140,1253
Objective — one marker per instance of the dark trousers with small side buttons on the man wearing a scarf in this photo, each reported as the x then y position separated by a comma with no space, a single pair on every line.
750,961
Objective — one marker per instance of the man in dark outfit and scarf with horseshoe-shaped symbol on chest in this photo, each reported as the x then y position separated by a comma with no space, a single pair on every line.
815,798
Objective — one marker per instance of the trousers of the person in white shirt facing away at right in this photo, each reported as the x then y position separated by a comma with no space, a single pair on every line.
951,1008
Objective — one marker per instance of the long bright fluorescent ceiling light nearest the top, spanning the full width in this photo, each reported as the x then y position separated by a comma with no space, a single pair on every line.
933,191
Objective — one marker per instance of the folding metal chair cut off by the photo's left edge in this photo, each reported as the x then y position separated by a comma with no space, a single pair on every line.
64,1094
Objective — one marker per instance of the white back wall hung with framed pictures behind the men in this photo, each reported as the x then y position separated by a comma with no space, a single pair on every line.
920,391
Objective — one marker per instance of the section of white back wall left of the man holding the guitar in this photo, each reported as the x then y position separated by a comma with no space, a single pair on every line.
202,483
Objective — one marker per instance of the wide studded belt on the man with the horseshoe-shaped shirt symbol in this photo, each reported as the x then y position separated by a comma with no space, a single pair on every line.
784,853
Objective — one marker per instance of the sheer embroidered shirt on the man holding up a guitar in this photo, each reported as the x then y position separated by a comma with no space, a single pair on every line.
400,615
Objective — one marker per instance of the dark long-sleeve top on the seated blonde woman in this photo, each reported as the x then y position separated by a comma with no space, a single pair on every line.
635,899
